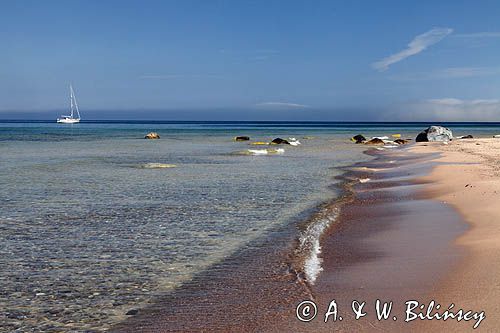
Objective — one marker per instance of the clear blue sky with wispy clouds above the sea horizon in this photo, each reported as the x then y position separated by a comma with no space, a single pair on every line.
308,60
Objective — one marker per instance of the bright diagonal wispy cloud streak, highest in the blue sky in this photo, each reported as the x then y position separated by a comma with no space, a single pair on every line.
417,45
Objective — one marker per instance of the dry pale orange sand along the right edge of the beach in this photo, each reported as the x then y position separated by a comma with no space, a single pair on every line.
468,178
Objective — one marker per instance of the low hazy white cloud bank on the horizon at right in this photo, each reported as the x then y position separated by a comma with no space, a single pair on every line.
448,109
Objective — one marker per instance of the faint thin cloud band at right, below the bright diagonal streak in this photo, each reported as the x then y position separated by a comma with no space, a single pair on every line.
448,73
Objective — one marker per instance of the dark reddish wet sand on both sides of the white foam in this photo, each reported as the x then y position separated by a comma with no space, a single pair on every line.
390,242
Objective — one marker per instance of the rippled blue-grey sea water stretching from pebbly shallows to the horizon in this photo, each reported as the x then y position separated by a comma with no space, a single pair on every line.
88,232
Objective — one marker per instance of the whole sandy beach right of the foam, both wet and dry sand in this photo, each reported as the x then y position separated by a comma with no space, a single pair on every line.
462,175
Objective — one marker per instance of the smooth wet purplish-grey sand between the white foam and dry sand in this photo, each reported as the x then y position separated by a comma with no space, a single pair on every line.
385,243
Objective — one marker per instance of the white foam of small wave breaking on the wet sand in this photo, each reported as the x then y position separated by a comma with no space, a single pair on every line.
309,241
